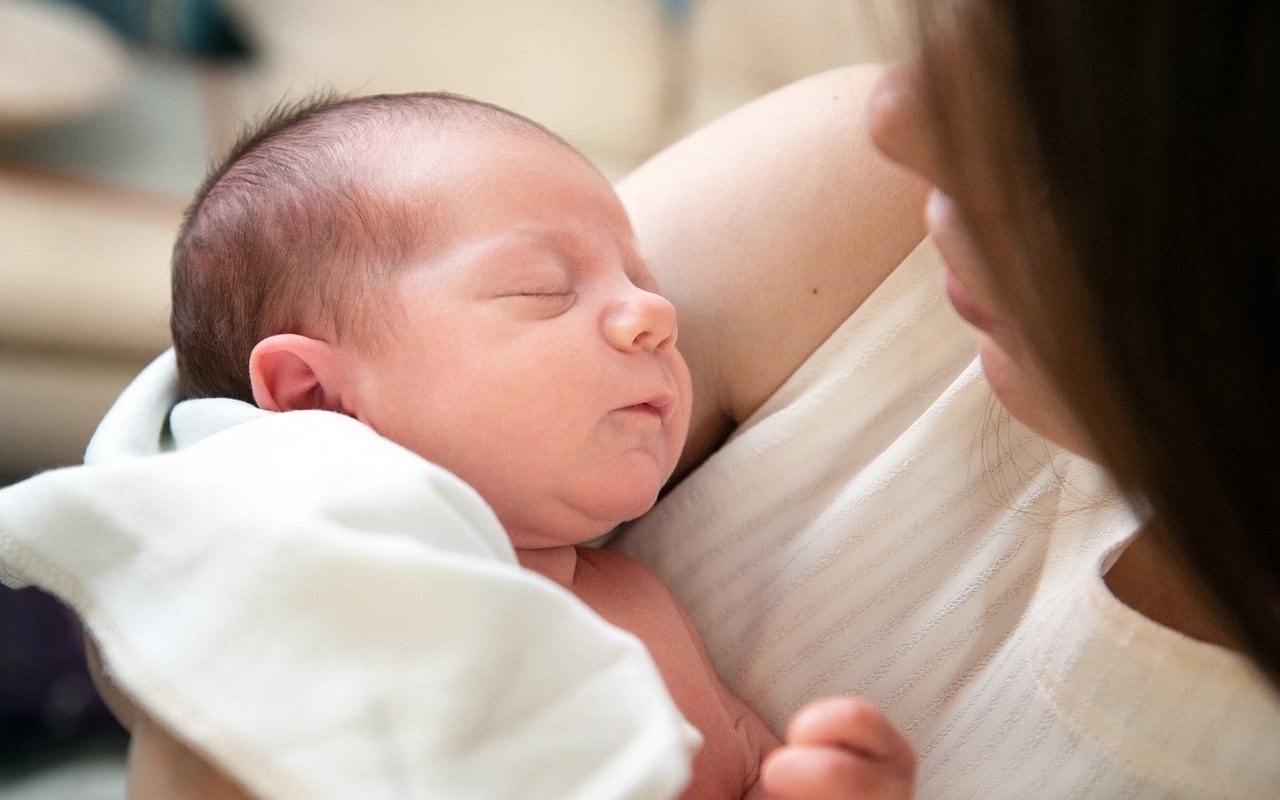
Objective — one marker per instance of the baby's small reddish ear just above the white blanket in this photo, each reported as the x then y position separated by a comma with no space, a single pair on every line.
294,373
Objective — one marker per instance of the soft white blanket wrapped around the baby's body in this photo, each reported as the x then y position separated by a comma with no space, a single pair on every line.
327,615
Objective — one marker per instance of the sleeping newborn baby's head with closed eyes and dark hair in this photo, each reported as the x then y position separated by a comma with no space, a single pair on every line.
455,277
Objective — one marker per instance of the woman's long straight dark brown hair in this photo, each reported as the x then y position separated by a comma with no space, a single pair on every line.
1137,150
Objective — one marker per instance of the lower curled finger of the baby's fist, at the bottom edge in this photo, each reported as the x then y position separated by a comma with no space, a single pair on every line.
812,772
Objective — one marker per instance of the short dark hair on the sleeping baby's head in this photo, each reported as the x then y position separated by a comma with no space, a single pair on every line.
289,230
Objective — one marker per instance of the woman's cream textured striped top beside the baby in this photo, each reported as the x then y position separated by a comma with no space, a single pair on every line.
880,528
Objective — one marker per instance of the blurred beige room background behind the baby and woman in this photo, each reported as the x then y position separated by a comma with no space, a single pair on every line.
111,113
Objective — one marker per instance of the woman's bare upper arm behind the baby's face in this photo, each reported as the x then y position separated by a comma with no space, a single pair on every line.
767,228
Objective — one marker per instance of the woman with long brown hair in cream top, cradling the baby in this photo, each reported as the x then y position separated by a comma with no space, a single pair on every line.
866,509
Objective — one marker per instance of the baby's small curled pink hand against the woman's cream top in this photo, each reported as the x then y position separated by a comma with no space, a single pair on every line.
840,749
